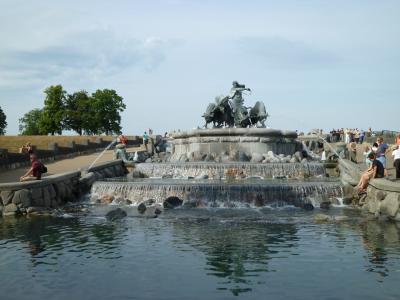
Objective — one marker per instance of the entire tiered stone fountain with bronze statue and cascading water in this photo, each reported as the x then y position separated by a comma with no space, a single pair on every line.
243,166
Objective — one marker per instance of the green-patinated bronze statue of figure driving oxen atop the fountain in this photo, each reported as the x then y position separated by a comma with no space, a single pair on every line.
229,111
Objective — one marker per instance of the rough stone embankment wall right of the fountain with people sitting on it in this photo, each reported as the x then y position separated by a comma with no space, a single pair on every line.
383,195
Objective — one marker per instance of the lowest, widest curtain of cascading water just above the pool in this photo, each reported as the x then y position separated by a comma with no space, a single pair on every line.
211,193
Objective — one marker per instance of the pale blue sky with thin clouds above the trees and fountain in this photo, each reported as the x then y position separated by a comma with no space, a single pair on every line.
315,64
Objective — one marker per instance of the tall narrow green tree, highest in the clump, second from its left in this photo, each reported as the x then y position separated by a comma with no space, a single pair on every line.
54,110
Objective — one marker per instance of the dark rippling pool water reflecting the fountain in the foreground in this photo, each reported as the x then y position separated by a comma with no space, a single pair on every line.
200,254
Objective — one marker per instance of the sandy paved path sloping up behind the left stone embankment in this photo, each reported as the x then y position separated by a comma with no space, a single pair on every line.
61,166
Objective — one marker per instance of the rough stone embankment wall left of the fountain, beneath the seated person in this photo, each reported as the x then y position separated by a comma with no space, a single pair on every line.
55,190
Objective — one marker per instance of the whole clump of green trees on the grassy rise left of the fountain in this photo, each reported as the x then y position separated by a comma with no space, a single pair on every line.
95,114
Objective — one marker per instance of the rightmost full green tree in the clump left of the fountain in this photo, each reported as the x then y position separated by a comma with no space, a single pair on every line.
107,107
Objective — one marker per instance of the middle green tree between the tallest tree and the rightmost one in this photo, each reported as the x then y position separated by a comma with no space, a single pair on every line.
78,112
